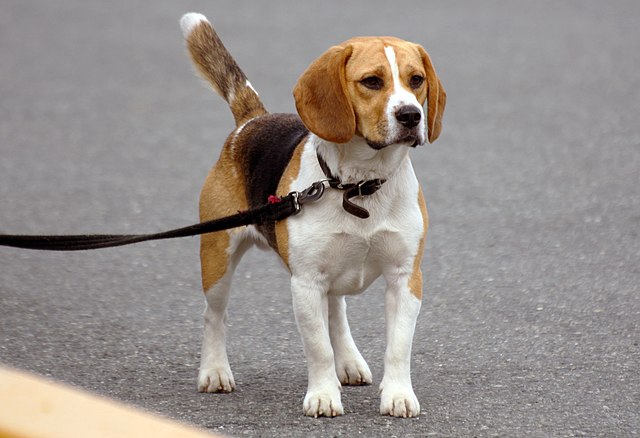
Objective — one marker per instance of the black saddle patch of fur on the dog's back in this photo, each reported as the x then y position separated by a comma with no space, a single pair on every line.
268,143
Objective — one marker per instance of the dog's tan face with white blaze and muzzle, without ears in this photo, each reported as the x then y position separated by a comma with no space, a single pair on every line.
386,84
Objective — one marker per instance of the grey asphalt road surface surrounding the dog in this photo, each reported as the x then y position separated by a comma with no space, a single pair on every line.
531,319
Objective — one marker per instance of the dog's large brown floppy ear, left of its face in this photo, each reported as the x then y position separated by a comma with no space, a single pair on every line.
321,97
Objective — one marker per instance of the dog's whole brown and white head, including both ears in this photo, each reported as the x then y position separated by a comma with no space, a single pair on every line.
373,87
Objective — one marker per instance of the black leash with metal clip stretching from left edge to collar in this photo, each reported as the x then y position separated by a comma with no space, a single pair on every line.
276,210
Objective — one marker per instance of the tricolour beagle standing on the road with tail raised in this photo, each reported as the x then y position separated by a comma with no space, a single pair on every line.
360,112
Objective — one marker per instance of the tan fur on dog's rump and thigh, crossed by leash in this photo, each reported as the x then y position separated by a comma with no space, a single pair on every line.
222,195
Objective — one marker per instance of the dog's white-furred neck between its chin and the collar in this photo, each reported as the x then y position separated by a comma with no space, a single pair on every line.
356,161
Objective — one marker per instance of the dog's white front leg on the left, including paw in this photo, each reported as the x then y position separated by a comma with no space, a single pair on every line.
310,305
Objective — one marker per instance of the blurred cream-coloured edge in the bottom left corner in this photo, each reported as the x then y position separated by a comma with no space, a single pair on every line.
33,407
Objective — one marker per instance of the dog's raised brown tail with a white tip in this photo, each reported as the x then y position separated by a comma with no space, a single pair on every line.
216,65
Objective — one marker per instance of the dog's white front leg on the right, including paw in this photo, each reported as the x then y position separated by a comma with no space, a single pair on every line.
401,310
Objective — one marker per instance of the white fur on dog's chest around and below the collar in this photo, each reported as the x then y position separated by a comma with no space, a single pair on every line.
345,253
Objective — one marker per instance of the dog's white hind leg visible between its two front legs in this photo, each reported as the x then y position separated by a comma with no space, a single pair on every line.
351,367
